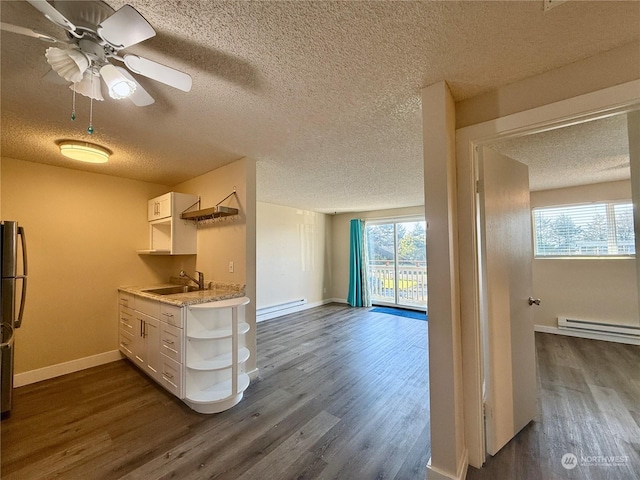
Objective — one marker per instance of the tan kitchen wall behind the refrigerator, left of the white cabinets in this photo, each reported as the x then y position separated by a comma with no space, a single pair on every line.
83,230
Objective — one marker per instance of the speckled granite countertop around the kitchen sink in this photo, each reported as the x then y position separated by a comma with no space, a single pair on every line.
215,291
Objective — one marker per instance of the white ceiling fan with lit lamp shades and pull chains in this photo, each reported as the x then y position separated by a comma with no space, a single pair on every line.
96,33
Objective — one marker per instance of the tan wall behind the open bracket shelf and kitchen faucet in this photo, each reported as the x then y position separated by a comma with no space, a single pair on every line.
227,241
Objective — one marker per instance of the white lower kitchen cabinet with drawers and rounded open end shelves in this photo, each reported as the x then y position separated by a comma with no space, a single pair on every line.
197,353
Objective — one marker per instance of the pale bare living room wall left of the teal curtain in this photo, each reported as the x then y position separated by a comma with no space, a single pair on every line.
293,255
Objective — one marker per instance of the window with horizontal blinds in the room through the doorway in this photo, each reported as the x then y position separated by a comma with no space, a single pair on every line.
590,230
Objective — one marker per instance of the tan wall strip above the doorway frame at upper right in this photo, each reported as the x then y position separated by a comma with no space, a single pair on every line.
617,66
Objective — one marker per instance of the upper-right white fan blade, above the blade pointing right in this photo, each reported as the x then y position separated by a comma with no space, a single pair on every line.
126,27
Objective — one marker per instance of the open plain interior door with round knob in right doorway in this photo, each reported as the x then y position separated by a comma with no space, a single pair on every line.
506,253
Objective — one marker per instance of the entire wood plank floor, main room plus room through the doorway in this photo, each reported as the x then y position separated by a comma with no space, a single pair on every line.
342,394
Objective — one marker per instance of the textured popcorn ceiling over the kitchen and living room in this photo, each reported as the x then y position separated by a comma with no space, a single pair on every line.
325,96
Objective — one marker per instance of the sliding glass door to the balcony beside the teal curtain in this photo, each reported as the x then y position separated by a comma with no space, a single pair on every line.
397,267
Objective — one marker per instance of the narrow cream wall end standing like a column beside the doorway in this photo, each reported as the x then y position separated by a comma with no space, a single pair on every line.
448,452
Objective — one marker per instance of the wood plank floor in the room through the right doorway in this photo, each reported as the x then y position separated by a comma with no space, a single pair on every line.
589,406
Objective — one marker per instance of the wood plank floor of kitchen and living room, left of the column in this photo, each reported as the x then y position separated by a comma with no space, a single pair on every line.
342,394
